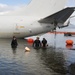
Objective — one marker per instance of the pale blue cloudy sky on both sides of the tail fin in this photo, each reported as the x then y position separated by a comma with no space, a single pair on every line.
8,5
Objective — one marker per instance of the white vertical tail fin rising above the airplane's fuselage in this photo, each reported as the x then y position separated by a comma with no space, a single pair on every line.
41,8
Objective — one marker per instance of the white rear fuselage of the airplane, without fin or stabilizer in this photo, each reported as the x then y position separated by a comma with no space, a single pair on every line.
20,26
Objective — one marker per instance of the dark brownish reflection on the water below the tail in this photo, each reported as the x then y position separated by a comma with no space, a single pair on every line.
53,59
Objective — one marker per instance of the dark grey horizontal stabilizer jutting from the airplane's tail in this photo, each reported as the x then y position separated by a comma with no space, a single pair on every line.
59,17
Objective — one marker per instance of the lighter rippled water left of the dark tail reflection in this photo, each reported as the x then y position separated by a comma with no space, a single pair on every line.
18,62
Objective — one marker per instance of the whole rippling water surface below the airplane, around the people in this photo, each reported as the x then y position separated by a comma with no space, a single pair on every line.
57,59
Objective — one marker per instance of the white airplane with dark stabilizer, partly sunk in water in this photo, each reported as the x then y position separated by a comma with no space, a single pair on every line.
39,16
